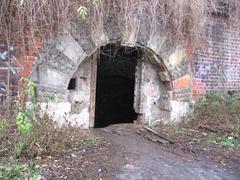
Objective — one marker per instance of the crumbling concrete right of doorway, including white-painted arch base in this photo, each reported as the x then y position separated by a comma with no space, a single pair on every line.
157,101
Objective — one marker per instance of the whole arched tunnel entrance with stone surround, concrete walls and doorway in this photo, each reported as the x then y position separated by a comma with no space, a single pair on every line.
117,85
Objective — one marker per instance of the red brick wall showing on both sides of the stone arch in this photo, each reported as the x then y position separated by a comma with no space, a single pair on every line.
215,63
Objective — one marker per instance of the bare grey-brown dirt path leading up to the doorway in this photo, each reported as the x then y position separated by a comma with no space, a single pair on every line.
135,158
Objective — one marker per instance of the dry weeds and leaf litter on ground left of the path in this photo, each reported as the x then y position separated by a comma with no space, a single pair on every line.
49,151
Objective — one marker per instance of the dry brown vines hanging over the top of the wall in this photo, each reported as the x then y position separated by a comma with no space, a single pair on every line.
181,18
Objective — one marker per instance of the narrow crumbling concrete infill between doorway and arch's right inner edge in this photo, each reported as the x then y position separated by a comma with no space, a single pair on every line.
153,96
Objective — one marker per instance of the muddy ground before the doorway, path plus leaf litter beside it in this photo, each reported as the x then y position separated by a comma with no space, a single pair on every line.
128,153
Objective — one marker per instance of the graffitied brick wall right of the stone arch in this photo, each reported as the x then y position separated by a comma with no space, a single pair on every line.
216,63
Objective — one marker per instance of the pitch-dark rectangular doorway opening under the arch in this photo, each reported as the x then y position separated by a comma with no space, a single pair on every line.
115,85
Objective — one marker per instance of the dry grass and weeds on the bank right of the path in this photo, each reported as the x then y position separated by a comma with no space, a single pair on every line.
212,131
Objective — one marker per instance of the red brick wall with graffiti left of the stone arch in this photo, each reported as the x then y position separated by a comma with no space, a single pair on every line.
16,60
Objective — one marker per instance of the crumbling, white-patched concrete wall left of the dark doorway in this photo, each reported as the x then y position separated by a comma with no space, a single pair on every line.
74,106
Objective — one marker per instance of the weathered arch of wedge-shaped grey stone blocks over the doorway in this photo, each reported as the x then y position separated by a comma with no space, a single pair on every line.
61,57
